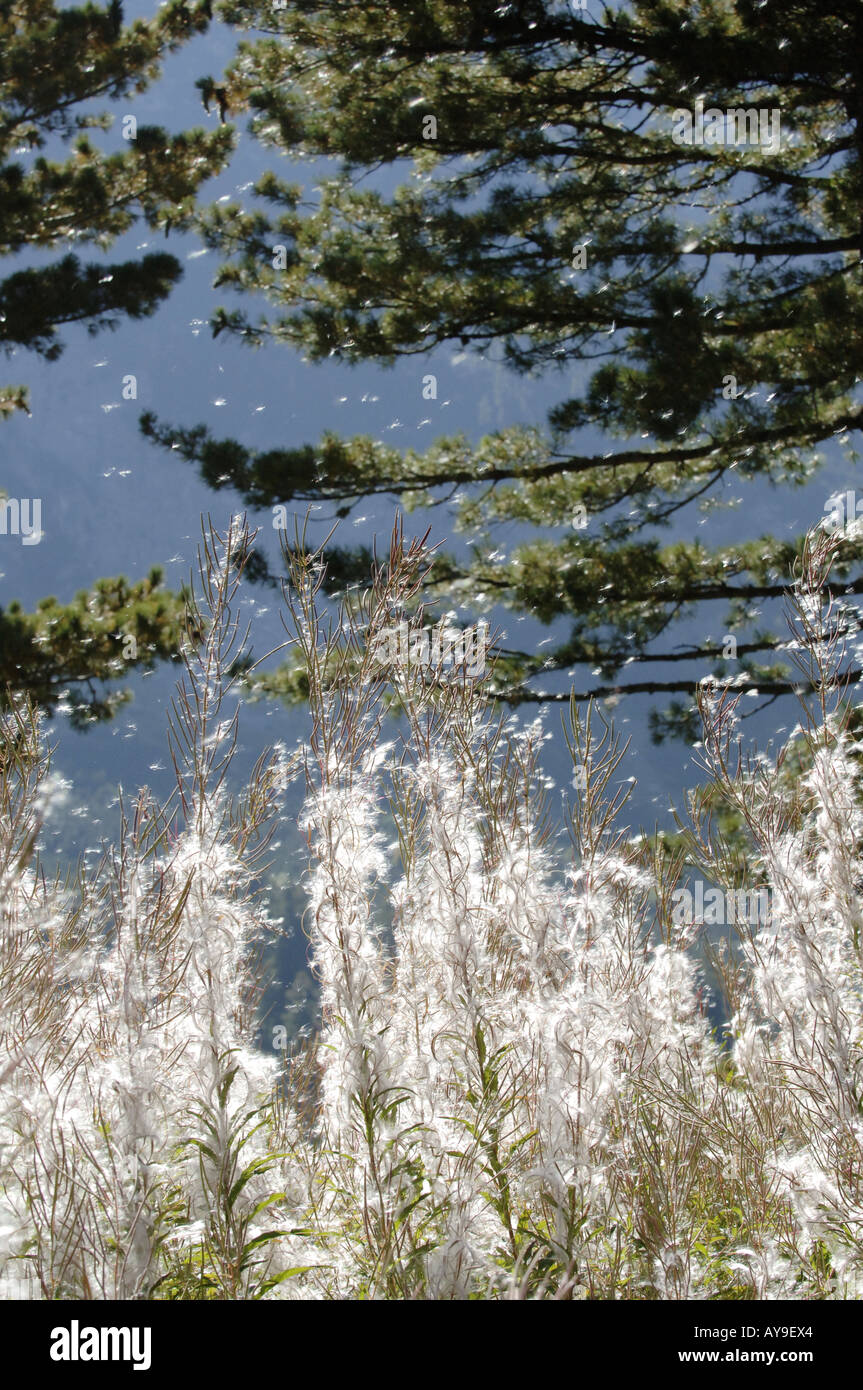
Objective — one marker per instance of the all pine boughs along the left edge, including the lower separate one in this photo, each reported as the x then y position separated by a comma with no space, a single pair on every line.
60,190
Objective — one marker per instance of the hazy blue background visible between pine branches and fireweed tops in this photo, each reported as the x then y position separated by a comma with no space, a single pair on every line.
113,504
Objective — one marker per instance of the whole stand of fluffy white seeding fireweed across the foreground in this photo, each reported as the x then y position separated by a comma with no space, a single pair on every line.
515,1090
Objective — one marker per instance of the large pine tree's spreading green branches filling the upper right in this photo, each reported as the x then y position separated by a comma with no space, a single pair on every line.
548,212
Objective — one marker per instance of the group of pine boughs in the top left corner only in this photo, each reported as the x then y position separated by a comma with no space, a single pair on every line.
55,65
